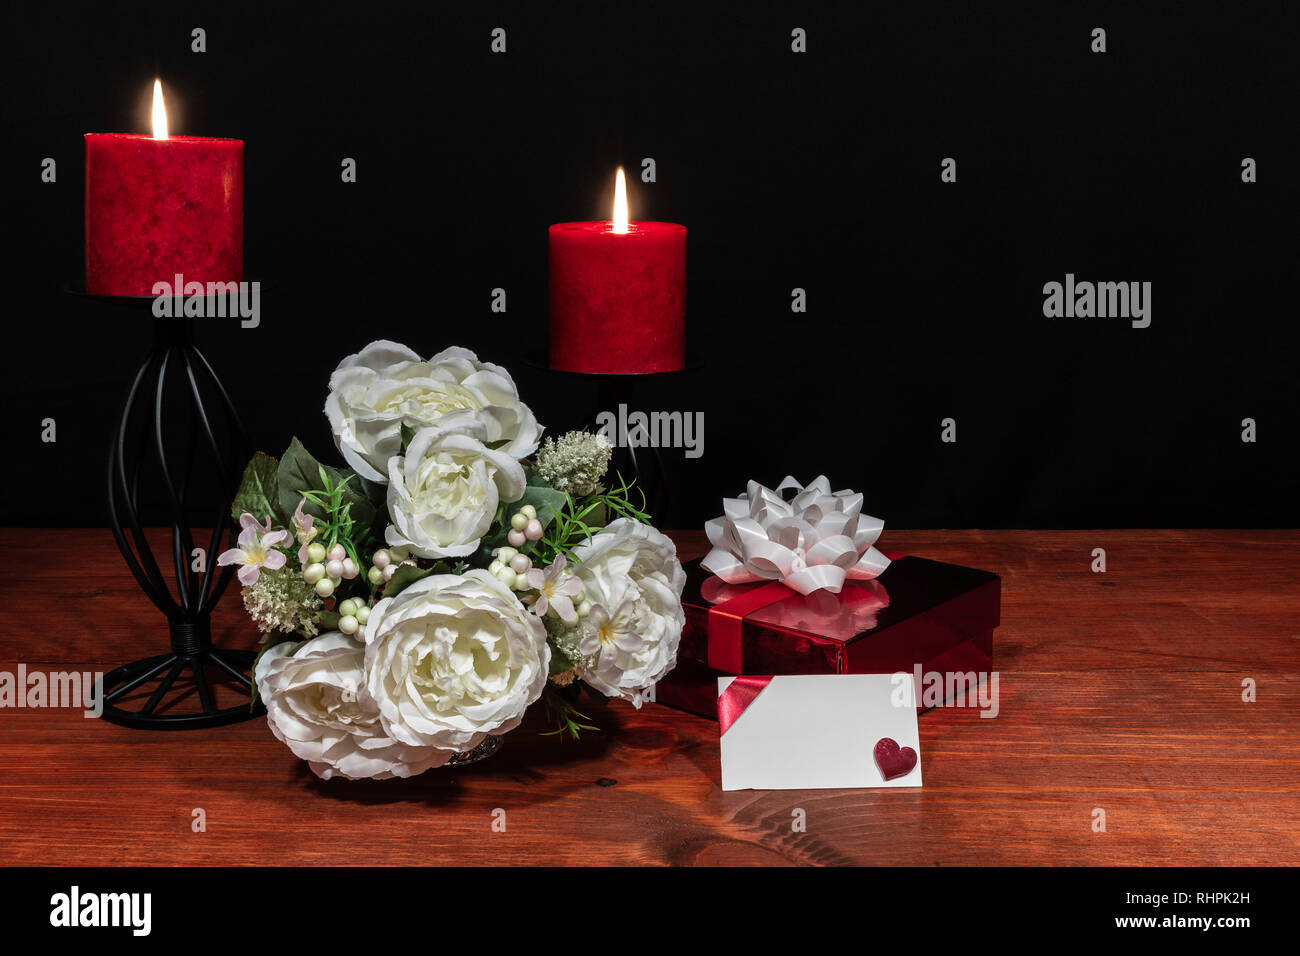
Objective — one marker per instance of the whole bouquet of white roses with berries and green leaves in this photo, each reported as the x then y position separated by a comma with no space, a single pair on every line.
458,570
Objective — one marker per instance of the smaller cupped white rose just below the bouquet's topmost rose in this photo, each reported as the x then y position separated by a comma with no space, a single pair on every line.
445,491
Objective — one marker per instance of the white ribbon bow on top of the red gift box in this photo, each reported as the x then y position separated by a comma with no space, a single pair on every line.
811,543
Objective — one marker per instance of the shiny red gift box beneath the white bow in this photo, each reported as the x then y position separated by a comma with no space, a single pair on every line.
917,613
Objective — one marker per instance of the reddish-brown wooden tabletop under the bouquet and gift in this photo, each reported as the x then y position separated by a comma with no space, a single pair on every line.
1121,691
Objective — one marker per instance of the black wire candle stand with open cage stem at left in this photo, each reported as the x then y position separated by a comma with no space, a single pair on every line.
176,382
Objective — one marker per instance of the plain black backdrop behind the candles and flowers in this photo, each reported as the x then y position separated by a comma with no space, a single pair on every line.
820,171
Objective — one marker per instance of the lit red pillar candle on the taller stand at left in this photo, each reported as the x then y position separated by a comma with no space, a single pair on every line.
162,206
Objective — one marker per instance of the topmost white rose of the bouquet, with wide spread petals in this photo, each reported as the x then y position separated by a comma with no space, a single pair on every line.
385,386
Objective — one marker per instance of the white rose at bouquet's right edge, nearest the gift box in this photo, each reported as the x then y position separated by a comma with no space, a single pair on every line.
632,573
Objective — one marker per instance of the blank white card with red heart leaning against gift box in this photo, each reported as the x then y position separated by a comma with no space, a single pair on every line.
813,732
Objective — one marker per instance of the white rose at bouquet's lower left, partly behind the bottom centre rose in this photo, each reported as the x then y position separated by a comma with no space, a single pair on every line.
318,704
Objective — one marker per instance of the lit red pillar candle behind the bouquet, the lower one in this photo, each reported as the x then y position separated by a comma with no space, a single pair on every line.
618,295
